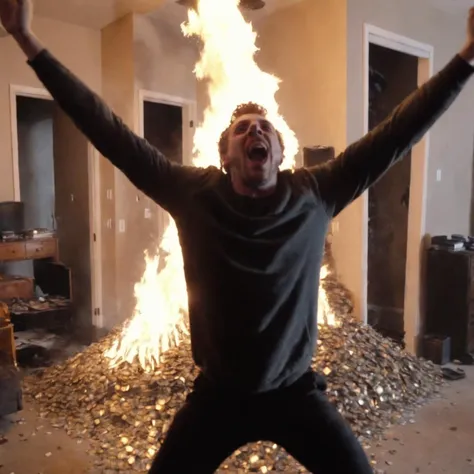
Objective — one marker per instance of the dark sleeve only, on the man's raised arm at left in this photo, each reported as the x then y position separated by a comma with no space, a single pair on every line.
149,170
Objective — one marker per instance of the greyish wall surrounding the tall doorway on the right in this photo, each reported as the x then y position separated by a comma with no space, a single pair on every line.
451,140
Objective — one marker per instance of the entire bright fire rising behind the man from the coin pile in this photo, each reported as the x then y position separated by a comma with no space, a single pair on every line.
233,77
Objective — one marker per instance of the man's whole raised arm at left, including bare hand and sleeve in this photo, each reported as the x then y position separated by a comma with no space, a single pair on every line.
143,164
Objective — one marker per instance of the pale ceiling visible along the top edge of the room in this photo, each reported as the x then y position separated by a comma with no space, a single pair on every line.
98,13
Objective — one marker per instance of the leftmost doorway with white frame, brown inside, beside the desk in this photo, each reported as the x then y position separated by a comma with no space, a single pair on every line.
55,179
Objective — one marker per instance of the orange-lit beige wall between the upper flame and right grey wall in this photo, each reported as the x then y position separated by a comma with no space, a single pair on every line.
305,46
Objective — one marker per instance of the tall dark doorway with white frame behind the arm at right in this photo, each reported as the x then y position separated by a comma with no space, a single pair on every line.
410,317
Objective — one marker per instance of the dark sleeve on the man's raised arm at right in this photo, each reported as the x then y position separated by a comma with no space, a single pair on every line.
342,180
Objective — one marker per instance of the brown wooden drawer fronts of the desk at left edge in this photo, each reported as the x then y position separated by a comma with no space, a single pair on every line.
32,249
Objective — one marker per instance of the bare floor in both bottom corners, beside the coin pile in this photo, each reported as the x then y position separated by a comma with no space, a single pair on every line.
441,440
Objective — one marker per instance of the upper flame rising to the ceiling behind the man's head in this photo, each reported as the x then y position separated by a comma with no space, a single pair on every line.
227,62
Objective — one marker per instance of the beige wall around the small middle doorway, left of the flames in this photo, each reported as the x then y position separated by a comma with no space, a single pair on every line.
154,57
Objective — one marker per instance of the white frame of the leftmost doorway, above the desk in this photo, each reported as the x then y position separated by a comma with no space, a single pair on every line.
94,195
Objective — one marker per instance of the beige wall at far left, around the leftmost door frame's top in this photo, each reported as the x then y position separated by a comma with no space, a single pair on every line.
62,39
